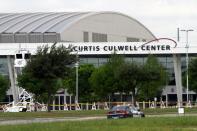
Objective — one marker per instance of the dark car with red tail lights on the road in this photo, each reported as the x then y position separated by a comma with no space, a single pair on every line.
124,112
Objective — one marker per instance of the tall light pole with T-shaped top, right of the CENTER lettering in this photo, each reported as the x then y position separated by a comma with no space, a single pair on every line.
187,62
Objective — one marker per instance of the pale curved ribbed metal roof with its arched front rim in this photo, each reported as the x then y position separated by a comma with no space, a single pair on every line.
45,22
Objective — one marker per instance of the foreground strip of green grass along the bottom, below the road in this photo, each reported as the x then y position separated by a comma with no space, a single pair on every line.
130,124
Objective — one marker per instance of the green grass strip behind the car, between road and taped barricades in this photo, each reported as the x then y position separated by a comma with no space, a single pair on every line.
83,113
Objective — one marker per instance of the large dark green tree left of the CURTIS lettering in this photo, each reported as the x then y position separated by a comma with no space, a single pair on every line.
44,72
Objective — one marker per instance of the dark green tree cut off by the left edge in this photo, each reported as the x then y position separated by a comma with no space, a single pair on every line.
4,86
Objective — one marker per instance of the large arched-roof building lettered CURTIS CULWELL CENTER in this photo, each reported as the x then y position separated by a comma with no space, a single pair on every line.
103,32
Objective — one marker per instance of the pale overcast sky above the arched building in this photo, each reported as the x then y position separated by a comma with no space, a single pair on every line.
162,17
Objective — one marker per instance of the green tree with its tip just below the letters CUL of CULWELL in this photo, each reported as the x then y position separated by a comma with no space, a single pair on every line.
104,80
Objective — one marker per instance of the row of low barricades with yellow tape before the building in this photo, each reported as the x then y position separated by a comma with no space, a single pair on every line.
108,105
